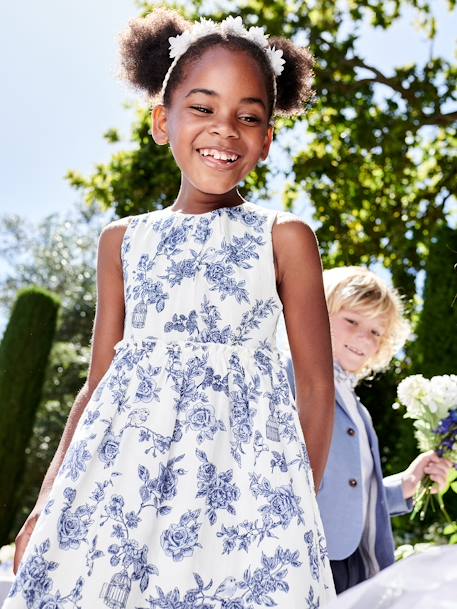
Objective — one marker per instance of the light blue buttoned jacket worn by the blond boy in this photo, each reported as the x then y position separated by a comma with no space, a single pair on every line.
340,495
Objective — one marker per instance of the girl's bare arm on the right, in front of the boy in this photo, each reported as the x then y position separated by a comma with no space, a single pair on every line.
300,287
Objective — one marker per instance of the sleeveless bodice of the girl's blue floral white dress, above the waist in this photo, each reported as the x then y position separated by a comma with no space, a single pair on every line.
207,278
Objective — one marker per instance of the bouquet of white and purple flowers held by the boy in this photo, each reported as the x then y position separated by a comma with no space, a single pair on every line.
432,403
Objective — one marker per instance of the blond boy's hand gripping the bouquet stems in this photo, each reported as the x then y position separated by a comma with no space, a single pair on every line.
426,464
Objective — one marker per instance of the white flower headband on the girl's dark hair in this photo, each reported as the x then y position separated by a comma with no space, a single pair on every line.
229,26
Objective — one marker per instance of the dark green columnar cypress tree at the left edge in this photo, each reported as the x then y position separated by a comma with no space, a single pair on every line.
24,352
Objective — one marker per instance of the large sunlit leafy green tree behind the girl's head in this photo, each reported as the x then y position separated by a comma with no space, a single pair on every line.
377,164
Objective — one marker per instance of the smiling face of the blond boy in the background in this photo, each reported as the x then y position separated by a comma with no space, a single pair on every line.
356,338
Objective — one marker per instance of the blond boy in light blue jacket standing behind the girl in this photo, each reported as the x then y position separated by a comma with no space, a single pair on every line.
368,328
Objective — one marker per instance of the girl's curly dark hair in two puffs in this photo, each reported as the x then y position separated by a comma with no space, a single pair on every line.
145,61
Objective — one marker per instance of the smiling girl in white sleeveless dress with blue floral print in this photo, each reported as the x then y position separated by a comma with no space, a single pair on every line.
182,479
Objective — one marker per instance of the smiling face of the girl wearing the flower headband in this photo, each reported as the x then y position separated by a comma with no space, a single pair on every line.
217,124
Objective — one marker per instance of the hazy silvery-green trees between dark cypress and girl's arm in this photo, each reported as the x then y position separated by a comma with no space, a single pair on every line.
60,253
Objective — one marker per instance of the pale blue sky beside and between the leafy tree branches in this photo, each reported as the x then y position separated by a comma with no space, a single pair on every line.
60,92
